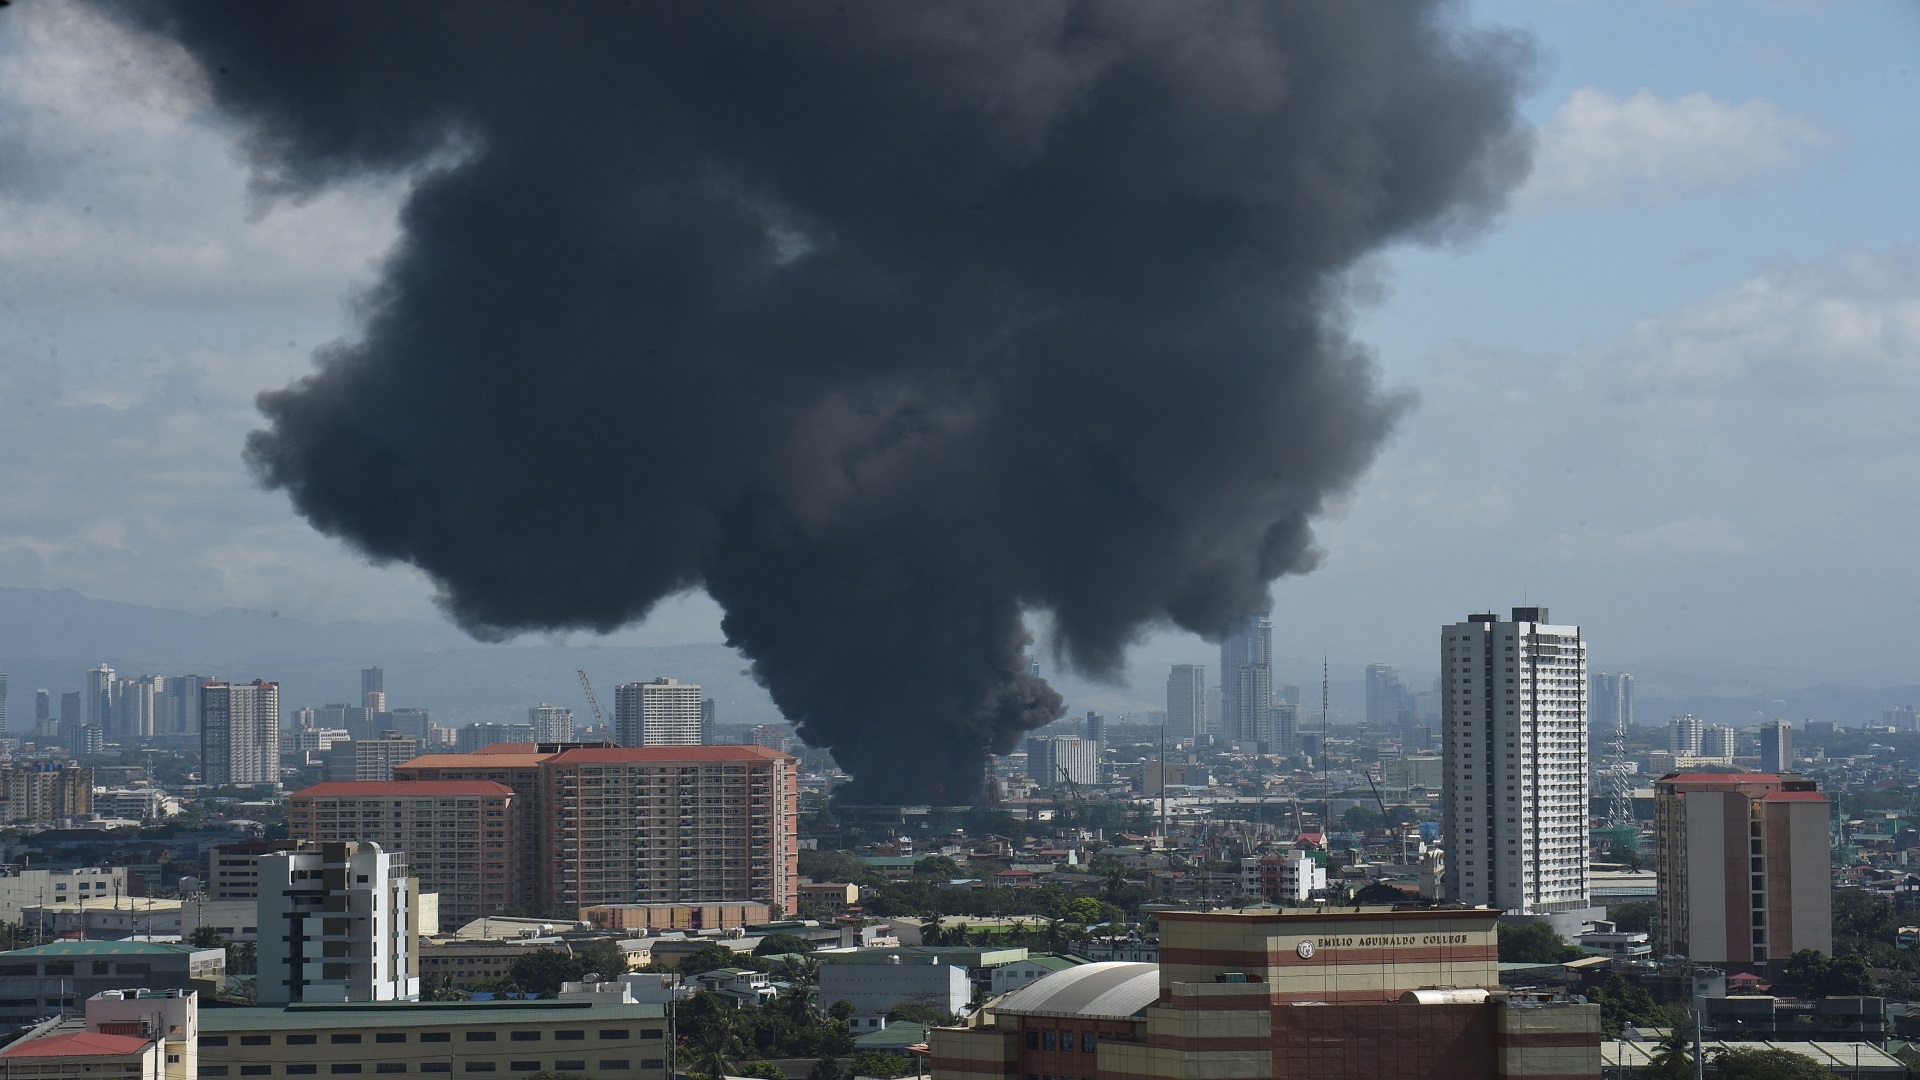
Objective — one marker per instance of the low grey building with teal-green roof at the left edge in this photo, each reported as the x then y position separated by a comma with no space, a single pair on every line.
45,981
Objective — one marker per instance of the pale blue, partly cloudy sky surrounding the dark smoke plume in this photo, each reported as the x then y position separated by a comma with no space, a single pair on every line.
1671,395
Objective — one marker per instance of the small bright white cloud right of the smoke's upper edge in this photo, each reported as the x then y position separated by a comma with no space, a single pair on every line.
1604,151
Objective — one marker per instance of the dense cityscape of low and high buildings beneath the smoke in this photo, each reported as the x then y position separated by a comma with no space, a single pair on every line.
1512,835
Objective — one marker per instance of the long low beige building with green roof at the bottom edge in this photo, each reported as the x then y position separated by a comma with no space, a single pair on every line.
602,1041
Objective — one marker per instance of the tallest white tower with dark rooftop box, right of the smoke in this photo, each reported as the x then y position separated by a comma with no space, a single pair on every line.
1516,781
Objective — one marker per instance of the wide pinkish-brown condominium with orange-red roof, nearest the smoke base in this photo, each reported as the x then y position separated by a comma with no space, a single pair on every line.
644,825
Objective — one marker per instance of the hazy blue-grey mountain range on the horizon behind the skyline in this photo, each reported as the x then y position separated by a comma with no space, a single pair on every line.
53,637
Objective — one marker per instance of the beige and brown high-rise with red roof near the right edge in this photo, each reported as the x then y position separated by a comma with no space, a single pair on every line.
1742,866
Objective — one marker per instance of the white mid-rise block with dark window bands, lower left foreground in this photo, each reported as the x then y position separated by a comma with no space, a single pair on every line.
347,923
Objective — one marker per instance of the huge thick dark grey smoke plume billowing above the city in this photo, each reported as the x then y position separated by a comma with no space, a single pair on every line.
882,322
